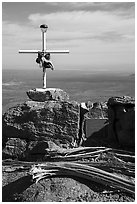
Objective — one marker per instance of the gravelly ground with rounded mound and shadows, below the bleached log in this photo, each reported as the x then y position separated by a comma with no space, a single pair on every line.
19,187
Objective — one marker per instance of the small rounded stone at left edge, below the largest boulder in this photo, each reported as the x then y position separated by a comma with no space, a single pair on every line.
15,148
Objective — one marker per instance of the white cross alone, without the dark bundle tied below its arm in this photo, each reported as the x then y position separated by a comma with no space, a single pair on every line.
44,51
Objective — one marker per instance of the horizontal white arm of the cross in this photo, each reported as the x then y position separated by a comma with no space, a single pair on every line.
47,51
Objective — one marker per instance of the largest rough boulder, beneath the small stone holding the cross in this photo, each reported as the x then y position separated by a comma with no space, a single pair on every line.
49,121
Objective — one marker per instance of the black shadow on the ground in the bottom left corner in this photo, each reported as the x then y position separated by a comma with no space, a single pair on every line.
11,190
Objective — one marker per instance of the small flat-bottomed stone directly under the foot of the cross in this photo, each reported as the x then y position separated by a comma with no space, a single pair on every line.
47,94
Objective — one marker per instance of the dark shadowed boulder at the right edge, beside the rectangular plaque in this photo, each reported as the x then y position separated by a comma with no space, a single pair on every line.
121,117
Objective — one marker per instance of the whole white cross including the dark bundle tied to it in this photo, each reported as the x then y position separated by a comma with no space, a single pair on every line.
44,54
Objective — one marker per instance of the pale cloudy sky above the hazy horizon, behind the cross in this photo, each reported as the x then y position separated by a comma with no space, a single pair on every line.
99,35
